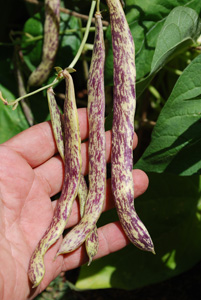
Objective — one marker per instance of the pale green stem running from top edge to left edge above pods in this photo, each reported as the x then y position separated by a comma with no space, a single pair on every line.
60,76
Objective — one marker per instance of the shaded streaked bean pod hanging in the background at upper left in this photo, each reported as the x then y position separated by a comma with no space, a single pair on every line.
50,44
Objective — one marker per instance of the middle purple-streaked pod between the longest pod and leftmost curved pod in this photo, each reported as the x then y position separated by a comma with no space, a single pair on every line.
97,157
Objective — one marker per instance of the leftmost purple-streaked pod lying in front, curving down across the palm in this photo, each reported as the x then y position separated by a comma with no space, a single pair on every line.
72,157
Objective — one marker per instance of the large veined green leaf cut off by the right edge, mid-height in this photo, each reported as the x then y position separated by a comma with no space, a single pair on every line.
176,141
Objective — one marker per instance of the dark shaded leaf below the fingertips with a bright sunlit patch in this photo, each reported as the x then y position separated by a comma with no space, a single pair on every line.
170,209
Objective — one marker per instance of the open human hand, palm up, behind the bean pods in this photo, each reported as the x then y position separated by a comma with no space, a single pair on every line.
30,174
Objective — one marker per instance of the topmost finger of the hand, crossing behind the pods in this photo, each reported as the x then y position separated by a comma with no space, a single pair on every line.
36,144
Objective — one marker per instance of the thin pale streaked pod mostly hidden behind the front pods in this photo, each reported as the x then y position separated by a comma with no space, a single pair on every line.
57,126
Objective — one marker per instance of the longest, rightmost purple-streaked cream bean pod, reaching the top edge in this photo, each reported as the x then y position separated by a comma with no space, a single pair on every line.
123,127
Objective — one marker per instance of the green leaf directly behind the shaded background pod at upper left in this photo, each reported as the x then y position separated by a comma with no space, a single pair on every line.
68,42
